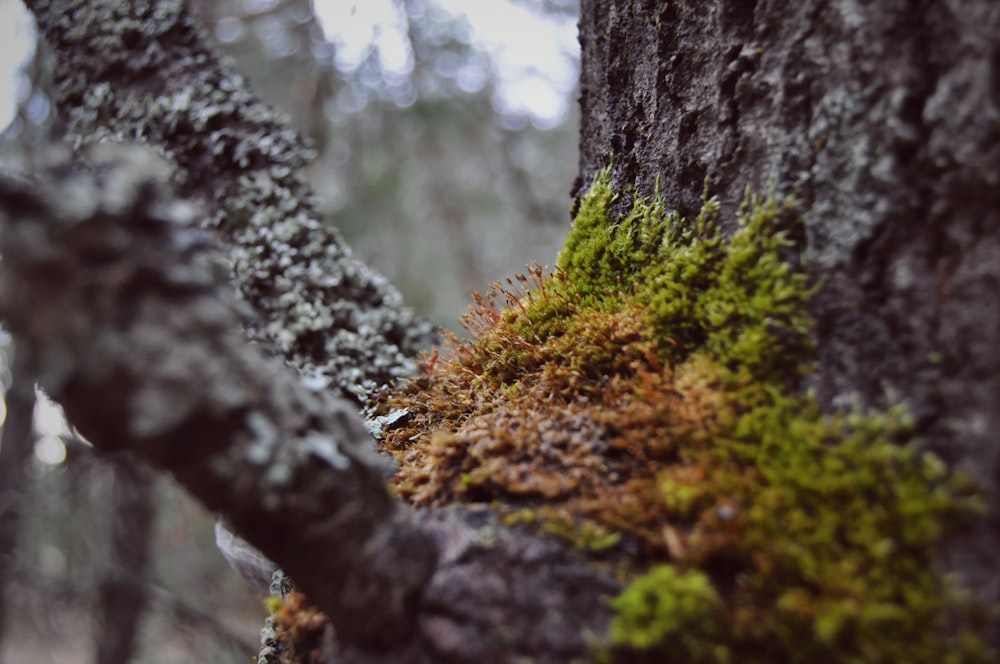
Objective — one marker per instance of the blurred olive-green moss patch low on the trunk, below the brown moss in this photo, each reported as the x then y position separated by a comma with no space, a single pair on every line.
826,551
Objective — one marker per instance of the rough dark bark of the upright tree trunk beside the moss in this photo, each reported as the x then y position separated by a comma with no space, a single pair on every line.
883,119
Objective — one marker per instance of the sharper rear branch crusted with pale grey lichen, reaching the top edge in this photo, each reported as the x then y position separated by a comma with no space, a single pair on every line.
140,71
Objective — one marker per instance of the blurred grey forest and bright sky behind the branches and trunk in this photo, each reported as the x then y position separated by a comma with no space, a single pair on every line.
446,135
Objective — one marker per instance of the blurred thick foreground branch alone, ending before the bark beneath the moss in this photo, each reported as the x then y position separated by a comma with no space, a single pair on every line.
125,318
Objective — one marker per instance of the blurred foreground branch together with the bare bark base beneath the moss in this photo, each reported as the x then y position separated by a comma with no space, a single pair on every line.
121,309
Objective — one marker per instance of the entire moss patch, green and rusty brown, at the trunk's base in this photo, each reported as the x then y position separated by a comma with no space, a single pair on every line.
644,397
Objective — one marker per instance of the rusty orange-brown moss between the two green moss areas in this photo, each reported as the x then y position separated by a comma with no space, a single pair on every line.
588,438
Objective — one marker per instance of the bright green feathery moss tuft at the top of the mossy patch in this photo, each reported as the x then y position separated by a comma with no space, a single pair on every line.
737,300
